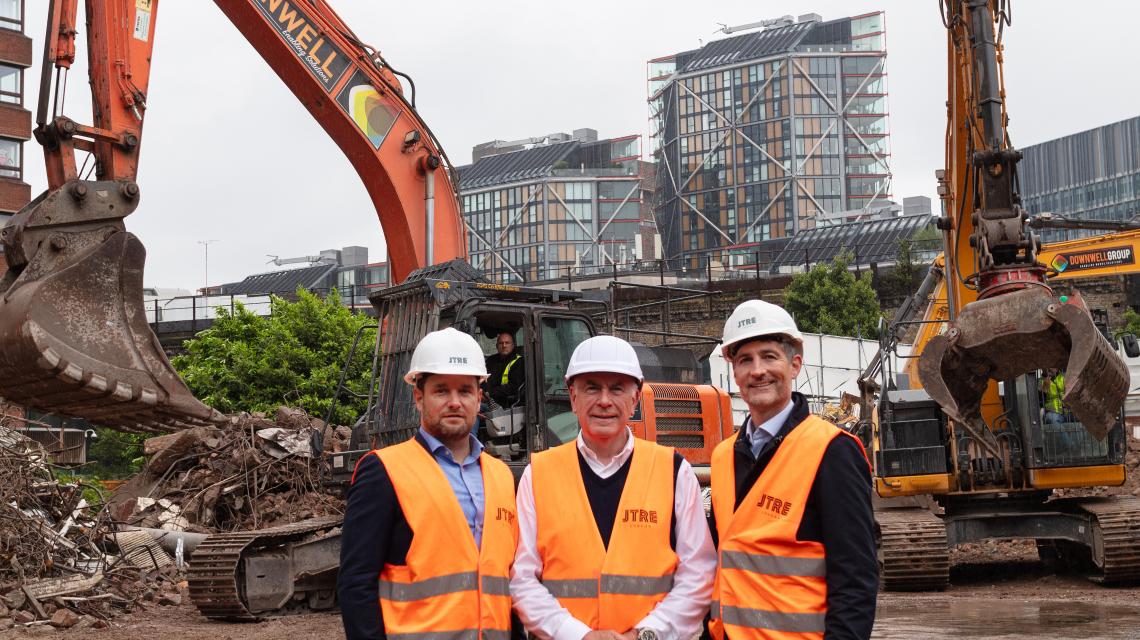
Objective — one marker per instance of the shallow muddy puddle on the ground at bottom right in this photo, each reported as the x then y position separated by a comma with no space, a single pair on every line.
971,618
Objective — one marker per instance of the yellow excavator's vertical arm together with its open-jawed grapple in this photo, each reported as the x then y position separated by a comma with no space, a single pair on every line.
1005,319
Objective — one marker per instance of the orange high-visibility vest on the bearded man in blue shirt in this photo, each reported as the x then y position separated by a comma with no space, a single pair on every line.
450,590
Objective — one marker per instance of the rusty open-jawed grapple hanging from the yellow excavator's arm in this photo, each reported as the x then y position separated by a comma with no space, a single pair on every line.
1004,337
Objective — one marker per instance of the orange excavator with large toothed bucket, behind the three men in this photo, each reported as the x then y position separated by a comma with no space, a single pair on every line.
74,334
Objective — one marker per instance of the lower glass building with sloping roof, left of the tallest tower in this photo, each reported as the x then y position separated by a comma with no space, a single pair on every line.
536,208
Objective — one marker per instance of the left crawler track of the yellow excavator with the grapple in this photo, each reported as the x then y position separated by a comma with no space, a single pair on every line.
914,553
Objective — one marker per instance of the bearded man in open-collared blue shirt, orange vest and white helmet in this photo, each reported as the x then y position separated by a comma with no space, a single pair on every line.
430,528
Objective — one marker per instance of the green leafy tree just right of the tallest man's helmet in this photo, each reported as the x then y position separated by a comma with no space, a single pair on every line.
830,299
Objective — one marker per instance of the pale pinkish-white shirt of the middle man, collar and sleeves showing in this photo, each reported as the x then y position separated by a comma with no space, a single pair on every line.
679,617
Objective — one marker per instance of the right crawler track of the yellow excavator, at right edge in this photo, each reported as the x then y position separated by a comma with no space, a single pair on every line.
1117,539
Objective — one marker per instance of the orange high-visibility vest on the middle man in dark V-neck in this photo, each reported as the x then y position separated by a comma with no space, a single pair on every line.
616,587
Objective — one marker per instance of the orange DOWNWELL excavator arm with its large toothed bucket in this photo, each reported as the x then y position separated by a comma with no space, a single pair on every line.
74,333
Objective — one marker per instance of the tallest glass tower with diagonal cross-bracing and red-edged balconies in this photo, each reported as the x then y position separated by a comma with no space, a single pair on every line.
755,135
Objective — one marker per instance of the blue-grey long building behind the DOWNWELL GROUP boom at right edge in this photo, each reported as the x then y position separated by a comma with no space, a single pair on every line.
1094,175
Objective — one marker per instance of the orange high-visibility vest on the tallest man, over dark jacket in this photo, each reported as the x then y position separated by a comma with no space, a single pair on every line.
770,586
